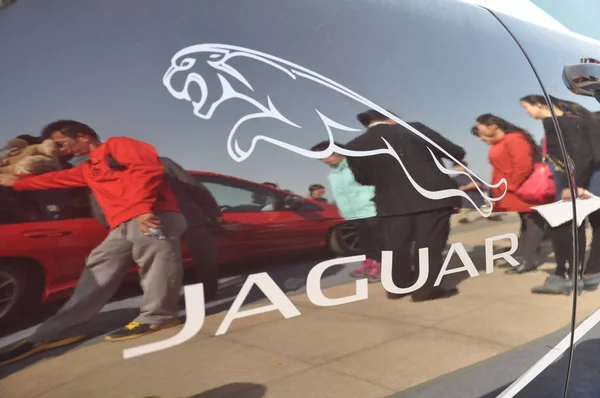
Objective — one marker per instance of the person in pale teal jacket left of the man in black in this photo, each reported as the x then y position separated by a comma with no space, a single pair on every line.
354,202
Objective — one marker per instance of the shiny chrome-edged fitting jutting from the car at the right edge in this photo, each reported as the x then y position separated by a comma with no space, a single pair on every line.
583,78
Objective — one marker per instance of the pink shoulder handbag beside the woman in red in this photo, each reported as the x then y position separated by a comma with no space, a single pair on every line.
539,188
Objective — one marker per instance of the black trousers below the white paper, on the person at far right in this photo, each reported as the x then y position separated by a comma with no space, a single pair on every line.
562,244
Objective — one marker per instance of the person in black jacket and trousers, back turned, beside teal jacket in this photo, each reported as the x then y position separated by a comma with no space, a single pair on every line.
407,217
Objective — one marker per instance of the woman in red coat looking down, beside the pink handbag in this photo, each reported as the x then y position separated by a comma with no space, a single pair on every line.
512,155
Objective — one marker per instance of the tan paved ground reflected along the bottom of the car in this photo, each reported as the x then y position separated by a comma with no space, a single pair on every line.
370,348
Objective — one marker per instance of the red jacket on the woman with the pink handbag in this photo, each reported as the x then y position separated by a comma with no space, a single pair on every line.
511,158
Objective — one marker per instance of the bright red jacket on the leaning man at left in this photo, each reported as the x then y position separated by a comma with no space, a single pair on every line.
122,194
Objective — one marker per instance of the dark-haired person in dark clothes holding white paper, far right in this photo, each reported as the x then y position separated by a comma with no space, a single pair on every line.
579,128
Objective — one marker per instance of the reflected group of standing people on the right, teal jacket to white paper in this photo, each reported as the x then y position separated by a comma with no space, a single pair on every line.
535,175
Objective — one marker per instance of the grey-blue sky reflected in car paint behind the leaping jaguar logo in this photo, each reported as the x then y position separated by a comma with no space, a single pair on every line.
103,65
